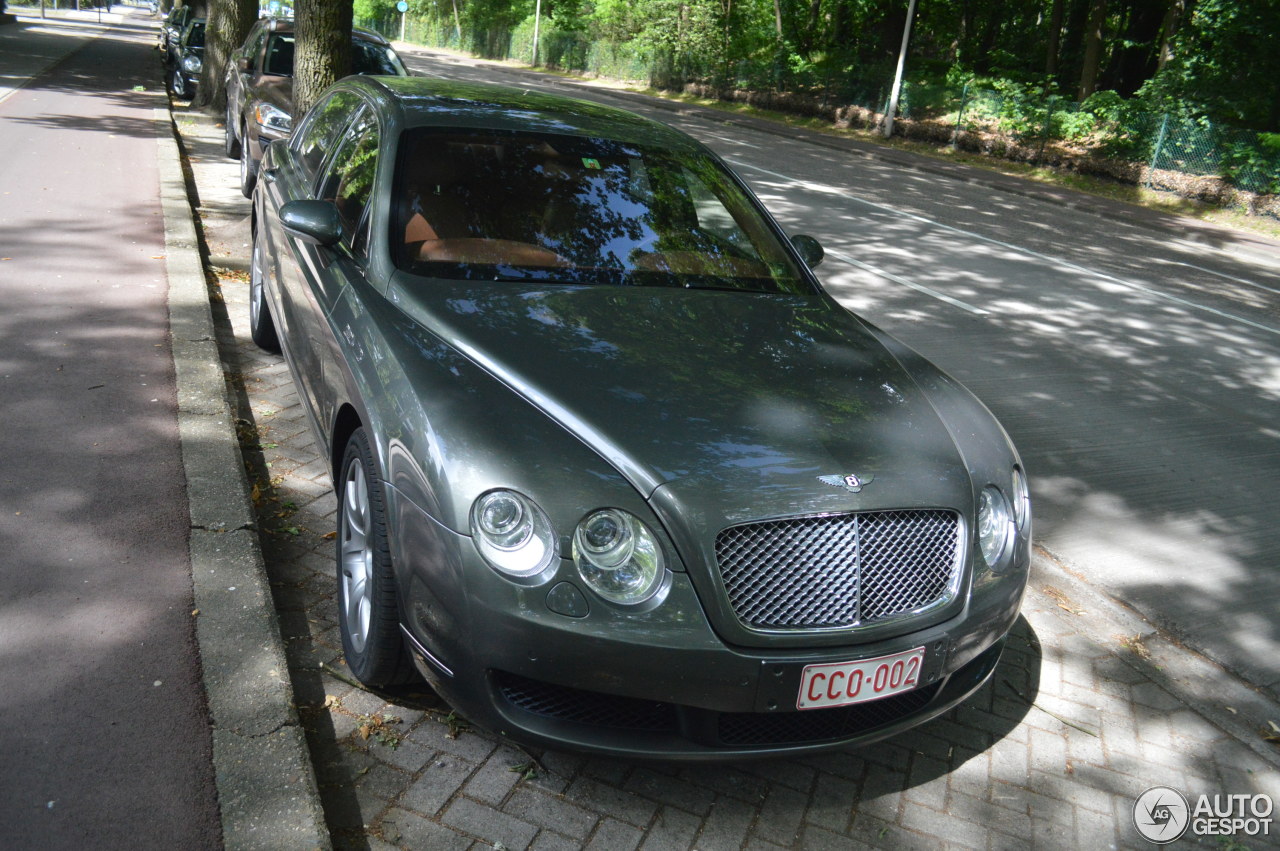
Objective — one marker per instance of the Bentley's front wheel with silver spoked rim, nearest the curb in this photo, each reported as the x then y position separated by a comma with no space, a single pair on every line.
368,610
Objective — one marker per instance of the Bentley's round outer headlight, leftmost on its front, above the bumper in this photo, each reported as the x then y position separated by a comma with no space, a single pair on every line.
513,534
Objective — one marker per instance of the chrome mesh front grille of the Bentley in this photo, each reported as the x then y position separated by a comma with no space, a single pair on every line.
839,571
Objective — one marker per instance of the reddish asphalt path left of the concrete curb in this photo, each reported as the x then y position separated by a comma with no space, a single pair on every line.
107,739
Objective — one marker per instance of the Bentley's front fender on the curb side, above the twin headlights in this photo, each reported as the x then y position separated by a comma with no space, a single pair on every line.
446,432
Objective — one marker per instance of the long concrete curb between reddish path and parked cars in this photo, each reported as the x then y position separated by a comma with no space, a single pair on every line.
267,785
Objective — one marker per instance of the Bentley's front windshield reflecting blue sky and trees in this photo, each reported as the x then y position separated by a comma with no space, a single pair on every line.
488,205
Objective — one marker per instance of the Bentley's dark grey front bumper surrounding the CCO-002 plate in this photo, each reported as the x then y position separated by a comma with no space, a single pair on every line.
659,684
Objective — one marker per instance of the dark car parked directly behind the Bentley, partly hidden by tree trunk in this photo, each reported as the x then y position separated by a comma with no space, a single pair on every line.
260,88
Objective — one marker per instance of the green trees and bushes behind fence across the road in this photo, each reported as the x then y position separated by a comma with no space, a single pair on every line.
977,63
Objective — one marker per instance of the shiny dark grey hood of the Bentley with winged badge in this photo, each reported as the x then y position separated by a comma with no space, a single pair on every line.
719,408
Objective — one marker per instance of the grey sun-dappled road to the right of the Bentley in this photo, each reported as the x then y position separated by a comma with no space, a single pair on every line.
1137,372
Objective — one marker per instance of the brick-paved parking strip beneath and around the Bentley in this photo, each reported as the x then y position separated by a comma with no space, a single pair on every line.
1084,715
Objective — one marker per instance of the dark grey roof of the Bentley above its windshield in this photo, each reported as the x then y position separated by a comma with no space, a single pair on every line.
427,102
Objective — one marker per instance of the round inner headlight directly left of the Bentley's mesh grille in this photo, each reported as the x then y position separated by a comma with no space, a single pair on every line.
619,557
